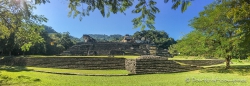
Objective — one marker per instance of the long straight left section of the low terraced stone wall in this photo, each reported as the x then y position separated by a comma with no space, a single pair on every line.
88,63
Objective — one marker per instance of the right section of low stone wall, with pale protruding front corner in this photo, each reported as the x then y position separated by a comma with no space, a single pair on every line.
149,64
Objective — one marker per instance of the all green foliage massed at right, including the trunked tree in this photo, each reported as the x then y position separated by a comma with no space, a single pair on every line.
216,34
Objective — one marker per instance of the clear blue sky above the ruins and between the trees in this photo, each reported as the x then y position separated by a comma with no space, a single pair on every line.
171,21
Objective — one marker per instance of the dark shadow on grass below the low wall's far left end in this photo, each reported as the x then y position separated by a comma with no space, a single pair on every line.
14,68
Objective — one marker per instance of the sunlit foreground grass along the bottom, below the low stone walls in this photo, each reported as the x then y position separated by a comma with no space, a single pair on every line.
193,78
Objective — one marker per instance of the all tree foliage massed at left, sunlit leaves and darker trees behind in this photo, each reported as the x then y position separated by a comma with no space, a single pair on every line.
22,30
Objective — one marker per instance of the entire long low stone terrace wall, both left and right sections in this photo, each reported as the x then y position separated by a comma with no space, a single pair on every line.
146,64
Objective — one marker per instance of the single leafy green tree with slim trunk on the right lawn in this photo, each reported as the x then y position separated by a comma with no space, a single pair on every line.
224,41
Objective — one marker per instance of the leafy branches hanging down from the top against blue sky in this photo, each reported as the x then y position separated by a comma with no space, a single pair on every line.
146,8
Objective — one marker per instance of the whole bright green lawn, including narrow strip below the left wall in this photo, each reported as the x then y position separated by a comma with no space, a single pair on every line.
238,75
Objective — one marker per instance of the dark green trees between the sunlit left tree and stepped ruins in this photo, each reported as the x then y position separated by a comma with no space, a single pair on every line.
54,43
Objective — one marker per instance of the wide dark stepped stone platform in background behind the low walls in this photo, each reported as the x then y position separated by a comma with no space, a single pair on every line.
107,48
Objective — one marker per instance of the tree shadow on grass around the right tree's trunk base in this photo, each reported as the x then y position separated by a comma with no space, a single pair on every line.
237,69
